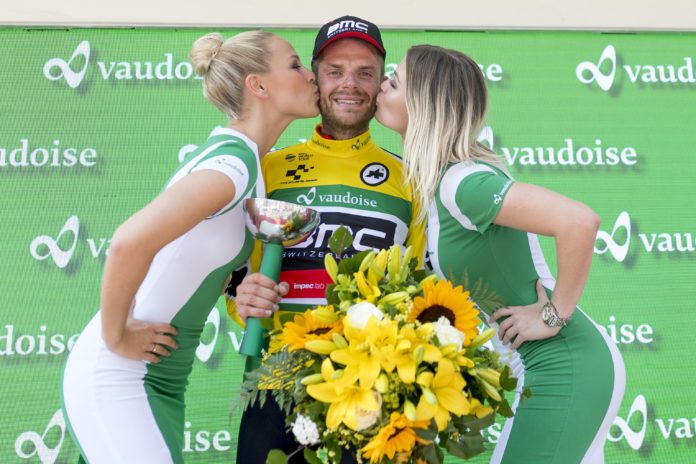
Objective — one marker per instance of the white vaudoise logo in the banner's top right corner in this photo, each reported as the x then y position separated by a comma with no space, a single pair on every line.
605,72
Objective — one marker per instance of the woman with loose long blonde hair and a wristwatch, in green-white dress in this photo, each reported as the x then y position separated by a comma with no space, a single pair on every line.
484,224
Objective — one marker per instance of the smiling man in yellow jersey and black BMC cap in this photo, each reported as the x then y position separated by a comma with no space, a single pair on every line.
351,181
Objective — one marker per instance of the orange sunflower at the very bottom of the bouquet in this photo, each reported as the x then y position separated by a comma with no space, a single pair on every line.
396,437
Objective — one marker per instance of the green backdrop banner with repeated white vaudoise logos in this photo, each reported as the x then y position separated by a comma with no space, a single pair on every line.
94,121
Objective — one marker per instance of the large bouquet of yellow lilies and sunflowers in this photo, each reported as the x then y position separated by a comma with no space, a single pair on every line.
393,368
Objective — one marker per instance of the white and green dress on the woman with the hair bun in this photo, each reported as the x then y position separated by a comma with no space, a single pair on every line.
127,411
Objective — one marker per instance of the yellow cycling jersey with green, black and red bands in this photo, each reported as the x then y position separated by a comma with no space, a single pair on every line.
352,183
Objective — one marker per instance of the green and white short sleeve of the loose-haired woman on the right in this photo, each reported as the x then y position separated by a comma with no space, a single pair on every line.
473,195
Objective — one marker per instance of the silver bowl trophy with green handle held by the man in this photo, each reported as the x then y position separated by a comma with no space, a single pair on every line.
277,224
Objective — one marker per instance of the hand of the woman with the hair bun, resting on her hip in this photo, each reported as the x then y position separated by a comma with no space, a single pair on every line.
145,341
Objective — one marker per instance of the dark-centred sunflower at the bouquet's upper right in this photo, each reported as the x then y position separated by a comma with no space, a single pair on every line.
444,300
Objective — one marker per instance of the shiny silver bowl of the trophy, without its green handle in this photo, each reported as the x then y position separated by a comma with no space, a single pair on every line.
273,221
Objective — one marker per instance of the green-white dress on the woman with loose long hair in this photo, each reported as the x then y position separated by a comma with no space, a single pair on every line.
577,377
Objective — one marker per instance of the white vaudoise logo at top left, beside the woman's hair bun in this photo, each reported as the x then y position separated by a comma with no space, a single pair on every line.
74,70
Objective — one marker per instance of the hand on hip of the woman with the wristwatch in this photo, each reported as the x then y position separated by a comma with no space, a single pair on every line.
524,323
